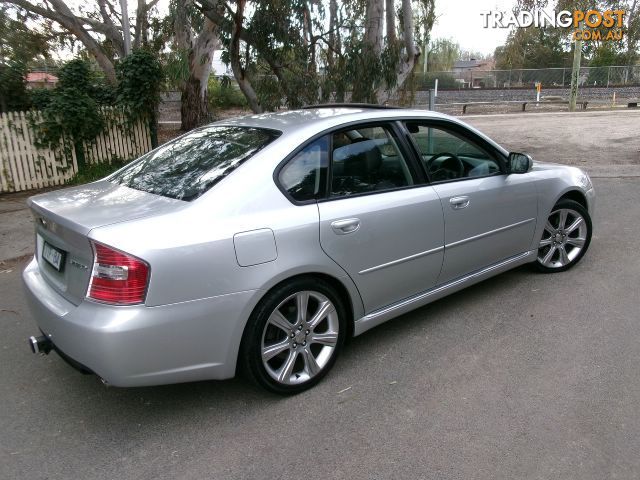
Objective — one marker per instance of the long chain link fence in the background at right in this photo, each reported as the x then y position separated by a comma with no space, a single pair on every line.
614,76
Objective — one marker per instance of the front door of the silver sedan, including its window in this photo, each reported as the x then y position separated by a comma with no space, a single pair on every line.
489,215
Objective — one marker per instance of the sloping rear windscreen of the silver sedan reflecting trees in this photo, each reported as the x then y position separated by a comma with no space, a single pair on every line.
188,166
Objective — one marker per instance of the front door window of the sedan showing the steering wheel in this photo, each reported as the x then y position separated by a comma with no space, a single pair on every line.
449,156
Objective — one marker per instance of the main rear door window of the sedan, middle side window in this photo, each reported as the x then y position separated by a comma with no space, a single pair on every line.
367,160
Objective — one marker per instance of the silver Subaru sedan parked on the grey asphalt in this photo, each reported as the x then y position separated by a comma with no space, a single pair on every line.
261,243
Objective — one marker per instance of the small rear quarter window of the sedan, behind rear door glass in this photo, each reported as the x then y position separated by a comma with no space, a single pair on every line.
304,176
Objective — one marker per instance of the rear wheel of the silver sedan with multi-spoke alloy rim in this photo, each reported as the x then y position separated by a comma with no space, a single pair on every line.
294,336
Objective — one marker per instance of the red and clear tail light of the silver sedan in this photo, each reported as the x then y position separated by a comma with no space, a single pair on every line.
117,278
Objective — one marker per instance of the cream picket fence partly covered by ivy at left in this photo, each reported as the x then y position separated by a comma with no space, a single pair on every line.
24,166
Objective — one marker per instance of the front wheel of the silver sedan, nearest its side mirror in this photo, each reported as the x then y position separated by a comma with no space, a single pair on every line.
566,237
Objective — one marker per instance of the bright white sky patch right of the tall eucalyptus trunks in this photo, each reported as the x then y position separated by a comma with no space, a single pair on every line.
460,21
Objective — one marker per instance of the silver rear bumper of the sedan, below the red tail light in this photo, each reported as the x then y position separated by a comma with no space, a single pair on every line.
140,345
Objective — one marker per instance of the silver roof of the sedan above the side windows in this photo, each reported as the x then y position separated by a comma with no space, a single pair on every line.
322,118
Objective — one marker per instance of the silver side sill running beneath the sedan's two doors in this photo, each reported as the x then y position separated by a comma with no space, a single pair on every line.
403,306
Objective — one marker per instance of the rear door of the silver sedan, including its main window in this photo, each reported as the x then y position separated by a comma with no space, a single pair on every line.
379,222
